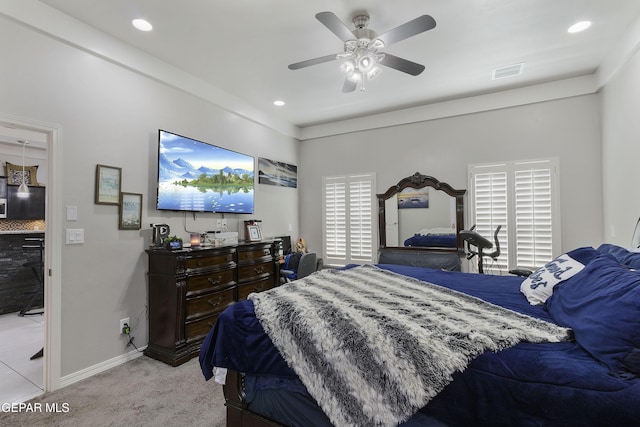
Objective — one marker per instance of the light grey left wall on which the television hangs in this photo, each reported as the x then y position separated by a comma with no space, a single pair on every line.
110,115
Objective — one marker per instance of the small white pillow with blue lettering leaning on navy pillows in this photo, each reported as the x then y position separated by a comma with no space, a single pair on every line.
539,286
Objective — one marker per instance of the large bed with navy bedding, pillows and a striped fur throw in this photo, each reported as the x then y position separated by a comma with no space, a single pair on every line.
581,365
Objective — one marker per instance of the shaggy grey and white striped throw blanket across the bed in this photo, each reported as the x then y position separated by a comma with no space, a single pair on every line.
372,346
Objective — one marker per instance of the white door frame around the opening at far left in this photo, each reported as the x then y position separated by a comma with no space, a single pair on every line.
53,246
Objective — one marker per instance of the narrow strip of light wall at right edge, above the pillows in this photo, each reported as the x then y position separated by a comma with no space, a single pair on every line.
621,152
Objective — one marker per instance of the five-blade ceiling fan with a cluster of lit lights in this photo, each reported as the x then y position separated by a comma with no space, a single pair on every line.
362,58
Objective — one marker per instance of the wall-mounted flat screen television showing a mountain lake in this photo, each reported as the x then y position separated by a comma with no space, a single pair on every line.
195,176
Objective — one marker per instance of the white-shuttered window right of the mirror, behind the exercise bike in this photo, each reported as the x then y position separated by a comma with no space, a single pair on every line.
522,197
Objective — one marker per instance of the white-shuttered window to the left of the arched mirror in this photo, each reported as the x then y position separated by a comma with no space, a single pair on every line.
348,220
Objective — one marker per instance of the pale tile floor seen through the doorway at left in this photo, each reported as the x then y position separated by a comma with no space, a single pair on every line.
20,338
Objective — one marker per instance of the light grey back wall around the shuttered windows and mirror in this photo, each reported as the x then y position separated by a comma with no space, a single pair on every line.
568,129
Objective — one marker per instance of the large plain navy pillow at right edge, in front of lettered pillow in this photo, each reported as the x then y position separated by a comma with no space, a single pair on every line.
602,306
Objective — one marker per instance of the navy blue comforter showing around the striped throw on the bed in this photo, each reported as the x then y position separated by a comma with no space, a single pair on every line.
553,384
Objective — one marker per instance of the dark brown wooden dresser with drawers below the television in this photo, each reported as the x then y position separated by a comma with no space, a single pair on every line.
189,288
